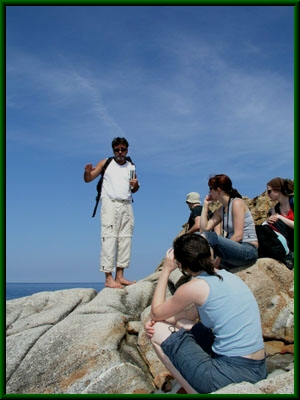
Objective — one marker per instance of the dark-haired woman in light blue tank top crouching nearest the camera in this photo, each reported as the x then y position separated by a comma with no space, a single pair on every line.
226,346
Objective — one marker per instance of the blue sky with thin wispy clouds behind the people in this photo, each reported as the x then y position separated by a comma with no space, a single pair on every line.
196,90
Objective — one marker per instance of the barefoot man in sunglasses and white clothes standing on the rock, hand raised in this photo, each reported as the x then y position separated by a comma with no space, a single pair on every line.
117,219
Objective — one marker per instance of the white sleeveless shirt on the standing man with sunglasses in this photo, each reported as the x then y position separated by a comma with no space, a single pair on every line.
116,181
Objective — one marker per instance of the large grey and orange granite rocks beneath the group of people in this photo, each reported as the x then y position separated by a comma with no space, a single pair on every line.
78,341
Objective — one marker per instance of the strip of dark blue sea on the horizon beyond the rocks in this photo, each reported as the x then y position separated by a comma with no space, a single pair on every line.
16,290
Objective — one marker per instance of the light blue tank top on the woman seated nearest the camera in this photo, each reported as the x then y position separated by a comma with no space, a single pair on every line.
231,311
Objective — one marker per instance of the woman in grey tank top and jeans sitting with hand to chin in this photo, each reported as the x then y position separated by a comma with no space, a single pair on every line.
238,244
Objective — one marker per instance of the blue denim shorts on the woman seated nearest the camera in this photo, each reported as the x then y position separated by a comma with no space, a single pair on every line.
190,352
